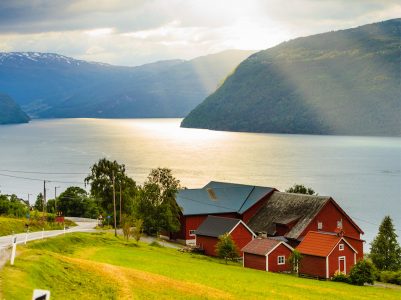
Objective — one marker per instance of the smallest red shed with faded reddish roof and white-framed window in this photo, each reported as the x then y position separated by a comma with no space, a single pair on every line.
267,255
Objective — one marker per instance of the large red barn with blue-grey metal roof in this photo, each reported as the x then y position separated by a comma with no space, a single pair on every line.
219,199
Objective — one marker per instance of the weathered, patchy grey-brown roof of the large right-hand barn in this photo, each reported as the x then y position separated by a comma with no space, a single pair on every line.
282,208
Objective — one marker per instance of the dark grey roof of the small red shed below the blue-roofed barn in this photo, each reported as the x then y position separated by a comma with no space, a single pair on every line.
215,226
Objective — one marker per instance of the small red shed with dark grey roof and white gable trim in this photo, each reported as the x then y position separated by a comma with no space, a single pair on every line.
207,235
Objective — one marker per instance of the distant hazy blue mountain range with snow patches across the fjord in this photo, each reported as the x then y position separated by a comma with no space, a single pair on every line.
49,85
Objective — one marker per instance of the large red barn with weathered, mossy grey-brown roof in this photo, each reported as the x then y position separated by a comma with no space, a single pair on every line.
294,215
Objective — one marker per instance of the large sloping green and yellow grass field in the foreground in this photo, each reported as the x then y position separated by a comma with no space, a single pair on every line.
99,266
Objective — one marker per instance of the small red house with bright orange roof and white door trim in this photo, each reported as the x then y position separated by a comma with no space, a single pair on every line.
325,253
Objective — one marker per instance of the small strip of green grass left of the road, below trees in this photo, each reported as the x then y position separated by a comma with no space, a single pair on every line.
17,225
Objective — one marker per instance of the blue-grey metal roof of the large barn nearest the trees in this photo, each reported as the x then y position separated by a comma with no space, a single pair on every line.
220,197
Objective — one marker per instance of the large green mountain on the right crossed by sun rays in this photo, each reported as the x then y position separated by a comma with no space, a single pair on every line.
345,82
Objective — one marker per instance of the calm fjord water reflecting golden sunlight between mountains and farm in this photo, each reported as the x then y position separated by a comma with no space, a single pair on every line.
363,174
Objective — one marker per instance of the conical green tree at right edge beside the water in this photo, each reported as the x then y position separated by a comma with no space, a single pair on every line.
385,251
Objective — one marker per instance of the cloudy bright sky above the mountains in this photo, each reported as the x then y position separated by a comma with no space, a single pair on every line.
134,32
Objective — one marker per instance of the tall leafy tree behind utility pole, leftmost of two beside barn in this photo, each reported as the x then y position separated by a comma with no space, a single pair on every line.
101,180
